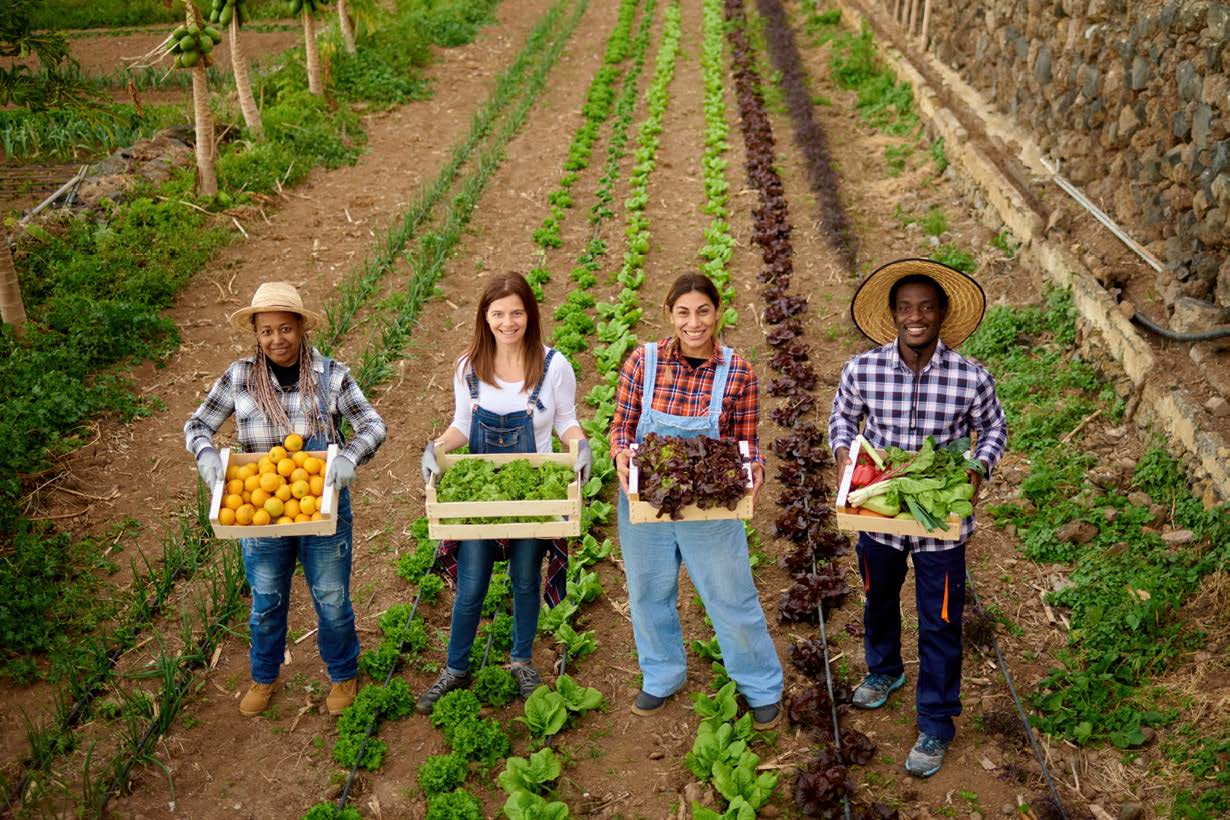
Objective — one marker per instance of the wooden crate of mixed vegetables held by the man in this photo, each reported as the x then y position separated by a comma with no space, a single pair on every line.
924,494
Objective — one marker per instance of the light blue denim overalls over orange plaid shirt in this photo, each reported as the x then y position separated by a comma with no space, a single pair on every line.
716,556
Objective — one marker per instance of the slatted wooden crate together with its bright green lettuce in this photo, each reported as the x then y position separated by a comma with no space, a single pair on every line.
511,496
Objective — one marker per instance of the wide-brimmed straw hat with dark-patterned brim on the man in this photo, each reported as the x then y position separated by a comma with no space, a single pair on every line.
967,303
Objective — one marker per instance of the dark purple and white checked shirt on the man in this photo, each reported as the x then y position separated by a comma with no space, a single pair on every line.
950,399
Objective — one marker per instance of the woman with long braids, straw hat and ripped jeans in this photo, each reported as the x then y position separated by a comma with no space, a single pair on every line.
288,387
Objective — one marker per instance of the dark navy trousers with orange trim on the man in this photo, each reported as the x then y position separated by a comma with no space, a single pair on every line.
940,596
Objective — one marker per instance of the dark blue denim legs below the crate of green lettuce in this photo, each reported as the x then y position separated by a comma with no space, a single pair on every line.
475,562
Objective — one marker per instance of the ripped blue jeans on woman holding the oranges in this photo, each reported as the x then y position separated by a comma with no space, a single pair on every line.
270,565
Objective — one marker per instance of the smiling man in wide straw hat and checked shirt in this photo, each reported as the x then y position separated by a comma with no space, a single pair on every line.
913,387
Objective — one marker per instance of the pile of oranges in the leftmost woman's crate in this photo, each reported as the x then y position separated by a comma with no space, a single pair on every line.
284,487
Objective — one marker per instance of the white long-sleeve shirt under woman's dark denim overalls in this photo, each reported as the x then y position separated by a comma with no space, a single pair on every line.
559,396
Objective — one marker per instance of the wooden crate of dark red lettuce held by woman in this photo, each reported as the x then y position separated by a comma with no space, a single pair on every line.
689,480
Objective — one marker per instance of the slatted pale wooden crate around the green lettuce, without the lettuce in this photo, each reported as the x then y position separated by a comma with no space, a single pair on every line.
565,512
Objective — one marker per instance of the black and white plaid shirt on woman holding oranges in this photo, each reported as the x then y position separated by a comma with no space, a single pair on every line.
256,433
